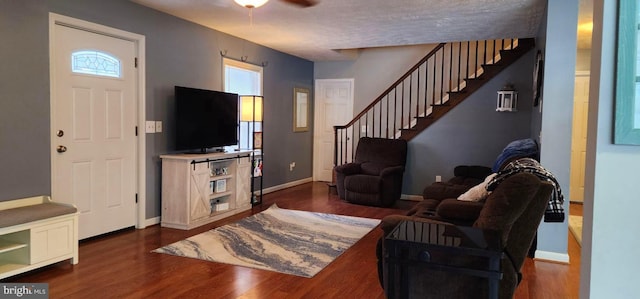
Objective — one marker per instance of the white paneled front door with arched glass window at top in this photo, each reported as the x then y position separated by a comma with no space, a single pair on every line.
93,124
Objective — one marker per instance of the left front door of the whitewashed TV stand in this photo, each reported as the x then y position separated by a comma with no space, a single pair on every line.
200,192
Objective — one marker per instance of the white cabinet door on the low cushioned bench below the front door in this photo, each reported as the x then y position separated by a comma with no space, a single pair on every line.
51,240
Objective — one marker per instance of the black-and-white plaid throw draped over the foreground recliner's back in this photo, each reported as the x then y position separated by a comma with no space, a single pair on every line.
555,211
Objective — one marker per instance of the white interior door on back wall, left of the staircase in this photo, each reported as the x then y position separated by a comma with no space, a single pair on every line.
333,106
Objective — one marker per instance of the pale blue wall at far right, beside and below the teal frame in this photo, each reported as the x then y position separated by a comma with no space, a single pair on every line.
609,261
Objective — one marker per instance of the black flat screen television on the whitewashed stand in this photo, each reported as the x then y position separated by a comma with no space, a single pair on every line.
205,119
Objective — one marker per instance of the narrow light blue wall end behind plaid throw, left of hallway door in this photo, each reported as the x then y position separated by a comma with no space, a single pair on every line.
557,104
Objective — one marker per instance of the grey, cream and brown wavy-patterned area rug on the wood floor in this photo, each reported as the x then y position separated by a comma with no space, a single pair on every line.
287,241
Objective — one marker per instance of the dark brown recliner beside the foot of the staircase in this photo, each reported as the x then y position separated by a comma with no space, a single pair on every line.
375,176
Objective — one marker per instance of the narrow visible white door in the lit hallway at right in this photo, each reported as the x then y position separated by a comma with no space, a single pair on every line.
579,136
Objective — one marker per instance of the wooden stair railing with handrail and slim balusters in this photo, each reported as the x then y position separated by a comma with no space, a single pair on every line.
427,84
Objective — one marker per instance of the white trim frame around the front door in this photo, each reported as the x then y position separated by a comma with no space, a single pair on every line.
140,86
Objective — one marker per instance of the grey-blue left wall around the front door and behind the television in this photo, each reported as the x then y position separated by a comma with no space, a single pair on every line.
178,52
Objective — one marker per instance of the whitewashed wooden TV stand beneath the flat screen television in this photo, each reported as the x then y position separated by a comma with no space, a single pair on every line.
201,188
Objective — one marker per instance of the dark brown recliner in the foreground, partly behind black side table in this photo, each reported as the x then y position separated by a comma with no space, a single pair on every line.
515,209
